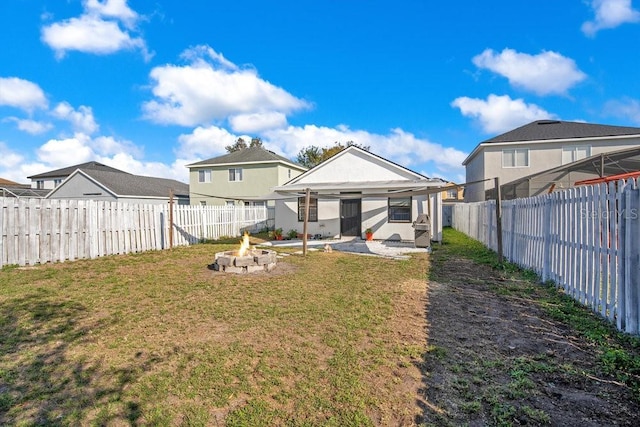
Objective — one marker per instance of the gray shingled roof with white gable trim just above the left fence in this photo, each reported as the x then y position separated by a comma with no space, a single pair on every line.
128,185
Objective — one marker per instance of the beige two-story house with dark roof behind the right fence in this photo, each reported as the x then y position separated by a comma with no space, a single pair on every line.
539,146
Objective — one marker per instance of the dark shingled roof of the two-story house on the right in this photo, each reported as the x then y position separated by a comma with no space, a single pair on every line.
556,130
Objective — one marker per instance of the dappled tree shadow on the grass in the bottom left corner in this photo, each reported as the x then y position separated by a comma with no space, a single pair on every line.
42,379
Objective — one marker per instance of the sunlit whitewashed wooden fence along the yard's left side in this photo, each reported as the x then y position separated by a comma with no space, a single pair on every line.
37,231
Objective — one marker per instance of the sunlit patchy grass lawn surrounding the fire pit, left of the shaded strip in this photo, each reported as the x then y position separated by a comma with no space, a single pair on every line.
158,339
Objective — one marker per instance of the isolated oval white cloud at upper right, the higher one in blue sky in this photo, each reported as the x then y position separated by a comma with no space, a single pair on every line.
544,74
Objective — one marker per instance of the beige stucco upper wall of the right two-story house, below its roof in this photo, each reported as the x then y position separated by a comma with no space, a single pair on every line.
487,163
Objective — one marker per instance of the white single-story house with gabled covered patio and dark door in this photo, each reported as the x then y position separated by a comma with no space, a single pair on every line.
356,190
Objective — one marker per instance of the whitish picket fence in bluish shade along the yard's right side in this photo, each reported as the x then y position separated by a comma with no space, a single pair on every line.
585,239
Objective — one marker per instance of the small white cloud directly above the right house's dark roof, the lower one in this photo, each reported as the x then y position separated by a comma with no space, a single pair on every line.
499,114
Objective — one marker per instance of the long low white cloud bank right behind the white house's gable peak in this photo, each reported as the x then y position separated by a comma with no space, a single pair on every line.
399,146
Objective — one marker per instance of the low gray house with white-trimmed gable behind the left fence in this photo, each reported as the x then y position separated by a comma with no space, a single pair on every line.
95,184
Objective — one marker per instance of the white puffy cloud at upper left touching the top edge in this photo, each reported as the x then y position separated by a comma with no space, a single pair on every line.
97,31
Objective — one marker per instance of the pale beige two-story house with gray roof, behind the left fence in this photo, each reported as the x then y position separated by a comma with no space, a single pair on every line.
240,177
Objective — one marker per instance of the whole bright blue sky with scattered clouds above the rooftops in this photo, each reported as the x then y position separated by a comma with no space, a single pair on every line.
150,86
